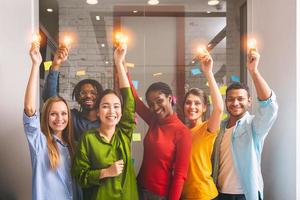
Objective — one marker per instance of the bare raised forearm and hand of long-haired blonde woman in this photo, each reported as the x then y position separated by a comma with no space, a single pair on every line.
31,89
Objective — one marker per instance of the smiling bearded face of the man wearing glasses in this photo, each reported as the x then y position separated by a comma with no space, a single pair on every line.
87,97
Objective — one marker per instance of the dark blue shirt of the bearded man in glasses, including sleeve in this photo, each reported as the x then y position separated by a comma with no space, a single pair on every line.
80,123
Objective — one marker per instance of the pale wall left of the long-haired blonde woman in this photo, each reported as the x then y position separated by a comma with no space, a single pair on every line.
16,25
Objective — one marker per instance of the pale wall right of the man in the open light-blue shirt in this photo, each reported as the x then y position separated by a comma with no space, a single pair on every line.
274,24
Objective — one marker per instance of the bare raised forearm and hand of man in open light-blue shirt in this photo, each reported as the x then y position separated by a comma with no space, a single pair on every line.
262,88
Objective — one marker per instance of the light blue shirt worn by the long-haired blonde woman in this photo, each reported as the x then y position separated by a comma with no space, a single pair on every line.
48,184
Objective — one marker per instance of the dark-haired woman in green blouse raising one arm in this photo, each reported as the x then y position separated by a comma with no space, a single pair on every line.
102,164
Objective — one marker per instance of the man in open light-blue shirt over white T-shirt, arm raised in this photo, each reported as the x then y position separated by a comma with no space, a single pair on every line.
238,147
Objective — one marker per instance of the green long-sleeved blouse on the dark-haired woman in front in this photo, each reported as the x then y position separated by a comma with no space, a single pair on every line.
95,153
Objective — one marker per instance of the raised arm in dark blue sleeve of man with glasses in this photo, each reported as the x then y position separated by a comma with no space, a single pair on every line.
50,88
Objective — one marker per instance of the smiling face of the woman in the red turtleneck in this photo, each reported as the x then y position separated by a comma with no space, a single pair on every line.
159,104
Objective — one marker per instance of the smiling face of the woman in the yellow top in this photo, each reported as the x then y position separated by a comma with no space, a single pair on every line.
194,108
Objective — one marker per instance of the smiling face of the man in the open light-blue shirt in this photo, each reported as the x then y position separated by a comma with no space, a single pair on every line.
237,103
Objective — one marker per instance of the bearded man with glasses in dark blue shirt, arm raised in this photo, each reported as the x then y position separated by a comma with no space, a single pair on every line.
86,92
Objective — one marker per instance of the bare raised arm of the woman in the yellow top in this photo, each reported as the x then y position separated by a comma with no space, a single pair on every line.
217,101
